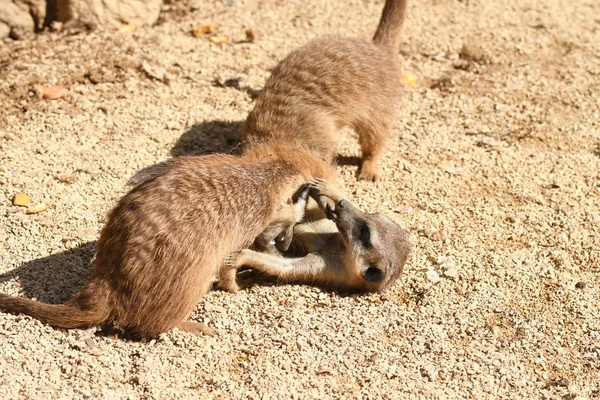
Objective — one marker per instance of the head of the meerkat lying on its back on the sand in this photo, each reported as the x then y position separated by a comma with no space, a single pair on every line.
376,247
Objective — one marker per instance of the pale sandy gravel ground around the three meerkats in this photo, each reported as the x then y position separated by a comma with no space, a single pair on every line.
495,172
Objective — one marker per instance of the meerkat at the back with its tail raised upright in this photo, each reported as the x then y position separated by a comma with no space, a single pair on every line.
333,82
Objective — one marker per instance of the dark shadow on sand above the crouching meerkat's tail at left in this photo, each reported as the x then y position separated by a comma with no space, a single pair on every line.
56,278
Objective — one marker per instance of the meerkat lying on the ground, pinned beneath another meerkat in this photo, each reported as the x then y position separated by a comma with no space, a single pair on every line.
350,251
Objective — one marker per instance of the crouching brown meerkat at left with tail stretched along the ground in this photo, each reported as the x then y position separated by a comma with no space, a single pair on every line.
167,238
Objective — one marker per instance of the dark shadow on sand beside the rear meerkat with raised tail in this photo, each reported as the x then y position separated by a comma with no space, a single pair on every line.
209,137
